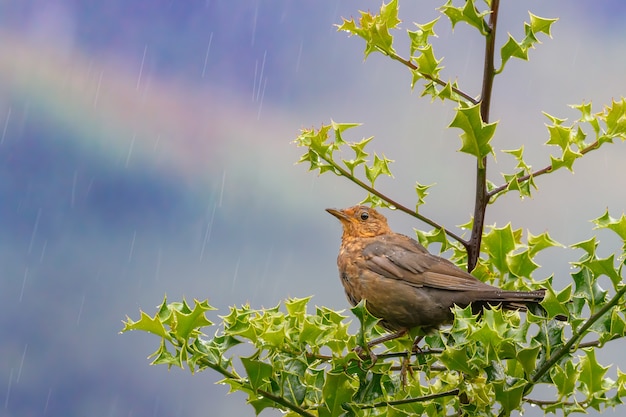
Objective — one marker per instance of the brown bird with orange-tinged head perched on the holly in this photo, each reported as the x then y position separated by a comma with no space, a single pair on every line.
403,284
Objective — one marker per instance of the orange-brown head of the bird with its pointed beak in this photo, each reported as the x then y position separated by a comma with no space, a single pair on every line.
361,221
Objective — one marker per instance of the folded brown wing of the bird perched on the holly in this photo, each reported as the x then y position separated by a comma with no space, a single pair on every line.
400,257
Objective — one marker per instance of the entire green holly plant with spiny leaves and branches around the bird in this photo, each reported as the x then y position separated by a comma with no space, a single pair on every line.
314,364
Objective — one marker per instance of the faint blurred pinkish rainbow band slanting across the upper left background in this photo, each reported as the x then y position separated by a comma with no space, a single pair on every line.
120,111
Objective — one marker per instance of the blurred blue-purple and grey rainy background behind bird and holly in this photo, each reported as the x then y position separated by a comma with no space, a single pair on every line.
145,150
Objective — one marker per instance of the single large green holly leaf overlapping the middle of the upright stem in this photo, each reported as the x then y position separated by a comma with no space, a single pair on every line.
476,133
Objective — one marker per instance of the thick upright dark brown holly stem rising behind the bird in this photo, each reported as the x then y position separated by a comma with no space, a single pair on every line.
482,196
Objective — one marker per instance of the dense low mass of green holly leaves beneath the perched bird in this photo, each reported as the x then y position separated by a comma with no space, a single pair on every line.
313,364
